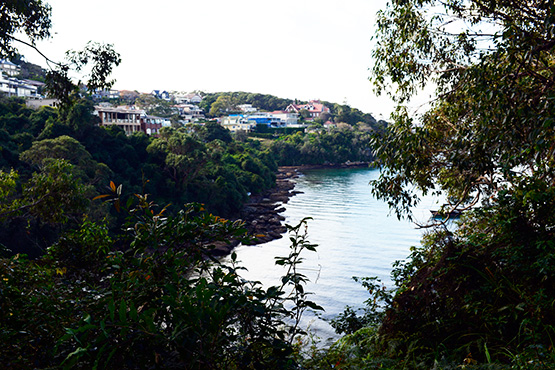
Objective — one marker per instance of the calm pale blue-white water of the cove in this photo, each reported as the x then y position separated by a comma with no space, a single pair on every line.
355,237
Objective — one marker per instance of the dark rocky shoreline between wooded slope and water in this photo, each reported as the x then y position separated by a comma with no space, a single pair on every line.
261,213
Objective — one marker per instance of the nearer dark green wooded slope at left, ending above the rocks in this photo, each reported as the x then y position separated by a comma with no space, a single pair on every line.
181,166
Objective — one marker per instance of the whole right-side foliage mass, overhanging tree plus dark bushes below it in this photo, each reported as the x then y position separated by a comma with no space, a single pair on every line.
483,294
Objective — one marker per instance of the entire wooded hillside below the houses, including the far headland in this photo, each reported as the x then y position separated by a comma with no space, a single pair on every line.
200,163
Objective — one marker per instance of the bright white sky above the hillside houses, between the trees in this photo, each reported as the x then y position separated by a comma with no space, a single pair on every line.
297,49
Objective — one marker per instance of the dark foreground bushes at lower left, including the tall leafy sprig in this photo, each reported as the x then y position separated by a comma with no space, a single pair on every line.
149,297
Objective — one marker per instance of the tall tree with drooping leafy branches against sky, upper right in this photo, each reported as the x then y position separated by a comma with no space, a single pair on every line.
493,64
